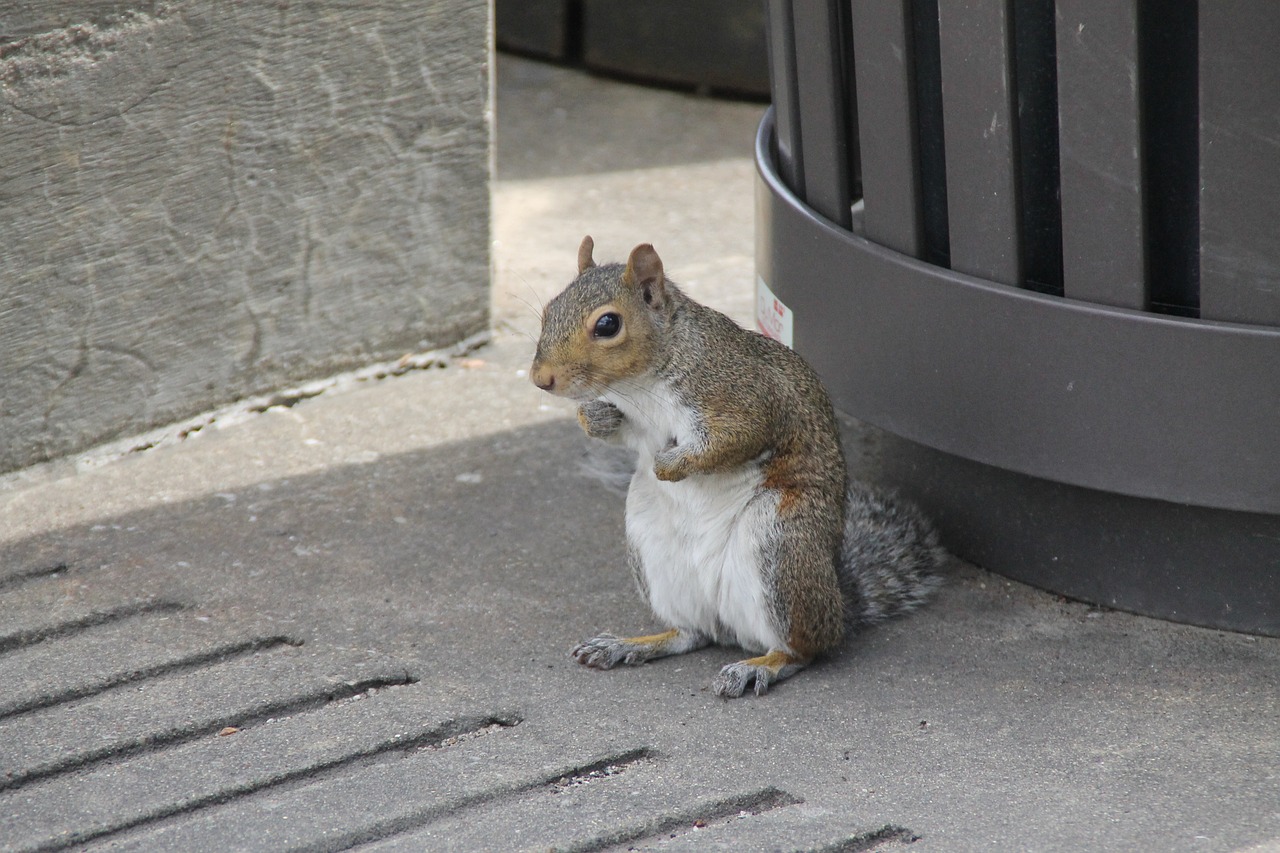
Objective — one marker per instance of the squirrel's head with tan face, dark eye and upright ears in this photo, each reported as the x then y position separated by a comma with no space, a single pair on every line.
607,326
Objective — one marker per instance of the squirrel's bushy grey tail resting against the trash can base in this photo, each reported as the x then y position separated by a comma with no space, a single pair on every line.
890,558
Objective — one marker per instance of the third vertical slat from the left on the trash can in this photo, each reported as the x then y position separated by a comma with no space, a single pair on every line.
886,113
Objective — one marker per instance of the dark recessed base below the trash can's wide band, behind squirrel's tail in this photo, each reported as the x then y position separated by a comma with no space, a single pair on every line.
1195,565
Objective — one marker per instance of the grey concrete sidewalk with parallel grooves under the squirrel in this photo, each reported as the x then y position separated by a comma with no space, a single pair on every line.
344,622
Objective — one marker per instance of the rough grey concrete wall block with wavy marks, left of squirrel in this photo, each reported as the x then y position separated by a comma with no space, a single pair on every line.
202,202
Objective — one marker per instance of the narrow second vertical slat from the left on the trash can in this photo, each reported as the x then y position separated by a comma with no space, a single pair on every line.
824,102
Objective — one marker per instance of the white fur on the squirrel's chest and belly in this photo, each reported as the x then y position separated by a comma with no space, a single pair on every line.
701,541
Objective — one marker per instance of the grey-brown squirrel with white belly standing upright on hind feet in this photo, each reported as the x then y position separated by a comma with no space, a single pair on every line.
743,526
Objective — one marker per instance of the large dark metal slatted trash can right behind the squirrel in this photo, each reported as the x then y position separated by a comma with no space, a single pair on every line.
1039,247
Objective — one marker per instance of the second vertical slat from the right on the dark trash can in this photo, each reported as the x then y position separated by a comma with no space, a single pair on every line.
1104,257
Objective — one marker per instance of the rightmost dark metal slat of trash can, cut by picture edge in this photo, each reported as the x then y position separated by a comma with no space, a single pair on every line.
1240,149
